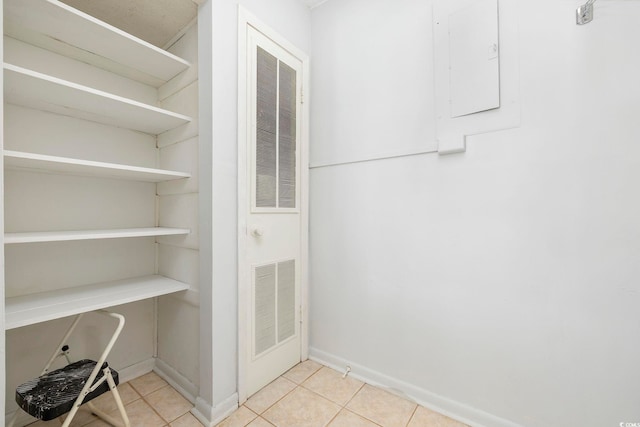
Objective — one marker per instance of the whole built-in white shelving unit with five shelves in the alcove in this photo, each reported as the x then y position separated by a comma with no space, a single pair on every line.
60,29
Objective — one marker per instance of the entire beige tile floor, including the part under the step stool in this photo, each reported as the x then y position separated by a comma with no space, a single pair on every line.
308,395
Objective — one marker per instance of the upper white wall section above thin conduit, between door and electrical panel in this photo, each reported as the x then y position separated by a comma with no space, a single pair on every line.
370,84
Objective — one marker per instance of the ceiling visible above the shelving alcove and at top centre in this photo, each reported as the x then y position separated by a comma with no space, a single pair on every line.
155,21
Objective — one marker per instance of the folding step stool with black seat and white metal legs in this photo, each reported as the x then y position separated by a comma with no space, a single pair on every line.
64,390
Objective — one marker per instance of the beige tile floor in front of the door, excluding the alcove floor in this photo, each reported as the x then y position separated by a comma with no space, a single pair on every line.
312,395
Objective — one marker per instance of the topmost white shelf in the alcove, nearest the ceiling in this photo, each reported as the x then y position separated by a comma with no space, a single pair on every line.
60,28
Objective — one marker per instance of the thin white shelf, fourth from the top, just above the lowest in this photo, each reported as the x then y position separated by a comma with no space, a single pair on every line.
65,236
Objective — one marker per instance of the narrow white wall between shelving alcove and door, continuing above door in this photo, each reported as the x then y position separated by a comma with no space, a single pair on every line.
292,20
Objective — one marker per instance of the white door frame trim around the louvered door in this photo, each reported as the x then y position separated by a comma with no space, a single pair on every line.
247,20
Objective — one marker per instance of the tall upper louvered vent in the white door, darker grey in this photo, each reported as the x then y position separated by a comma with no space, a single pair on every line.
276,133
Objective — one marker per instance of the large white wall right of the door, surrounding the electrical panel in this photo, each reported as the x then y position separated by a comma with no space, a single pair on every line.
501,284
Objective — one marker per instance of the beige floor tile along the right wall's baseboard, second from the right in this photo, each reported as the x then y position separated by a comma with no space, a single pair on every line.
382,407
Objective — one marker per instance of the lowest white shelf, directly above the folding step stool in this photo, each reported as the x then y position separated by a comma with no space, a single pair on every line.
35,308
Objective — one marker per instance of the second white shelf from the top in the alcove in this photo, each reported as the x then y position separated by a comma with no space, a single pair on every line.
31,89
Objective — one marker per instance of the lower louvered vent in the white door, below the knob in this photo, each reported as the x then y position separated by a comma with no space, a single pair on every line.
274,304
